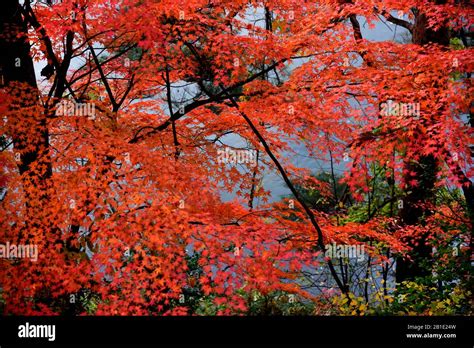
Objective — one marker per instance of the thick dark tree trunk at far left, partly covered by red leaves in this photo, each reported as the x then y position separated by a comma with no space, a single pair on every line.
30,133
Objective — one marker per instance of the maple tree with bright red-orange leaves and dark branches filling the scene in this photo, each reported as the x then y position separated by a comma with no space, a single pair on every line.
110,159
